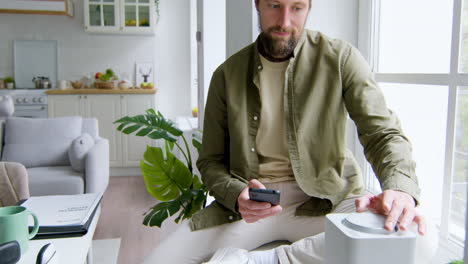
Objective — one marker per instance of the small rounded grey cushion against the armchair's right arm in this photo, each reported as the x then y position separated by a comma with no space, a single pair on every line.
78,149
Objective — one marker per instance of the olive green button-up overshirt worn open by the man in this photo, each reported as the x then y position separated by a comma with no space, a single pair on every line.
326,80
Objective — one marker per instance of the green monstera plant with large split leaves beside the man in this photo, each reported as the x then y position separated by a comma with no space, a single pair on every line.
168,179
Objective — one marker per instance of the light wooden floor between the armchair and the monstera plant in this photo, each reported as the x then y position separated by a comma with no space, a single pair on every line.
123,205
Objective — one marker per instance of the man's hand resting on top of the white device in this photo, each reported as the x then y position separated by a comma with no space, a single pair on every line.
399,207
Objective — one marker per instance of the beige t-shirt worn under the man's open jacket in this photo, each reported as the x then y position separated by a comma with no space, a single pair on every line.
271,141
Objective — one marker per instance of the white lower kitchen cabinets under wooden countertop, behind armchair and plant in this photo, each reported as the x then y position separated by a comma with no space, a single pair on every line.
124,150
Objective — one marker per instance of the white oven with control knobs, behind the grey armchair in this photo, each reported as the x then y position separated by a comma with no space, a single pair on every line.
28,103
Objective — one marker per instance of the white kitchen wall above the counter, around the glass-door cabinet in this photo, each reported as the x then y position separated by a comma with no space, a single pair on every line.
80,52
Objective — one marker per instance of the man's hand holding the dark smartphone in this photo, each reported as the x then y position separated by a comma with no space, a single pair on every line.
252,211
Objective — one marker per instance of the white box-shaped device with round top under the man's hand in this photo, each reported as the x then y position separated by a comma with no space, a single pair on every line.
359,238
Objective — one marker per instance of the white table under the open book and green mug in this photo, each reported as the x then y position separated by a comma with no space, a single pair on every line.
70,250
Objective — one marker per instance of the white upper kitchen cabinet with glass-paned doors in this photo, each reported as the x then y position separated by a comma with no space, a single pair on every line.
120,16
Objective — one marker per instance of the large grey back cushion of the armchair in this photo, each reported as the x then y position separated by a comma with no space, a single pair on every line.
36,142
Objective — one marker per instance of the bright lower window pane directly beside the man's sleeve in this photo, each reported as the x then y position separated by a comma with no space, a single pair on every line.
422,110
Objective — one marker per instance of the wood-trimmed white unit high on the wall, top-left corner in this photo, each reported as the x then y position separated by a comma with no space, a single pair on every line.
44,7
